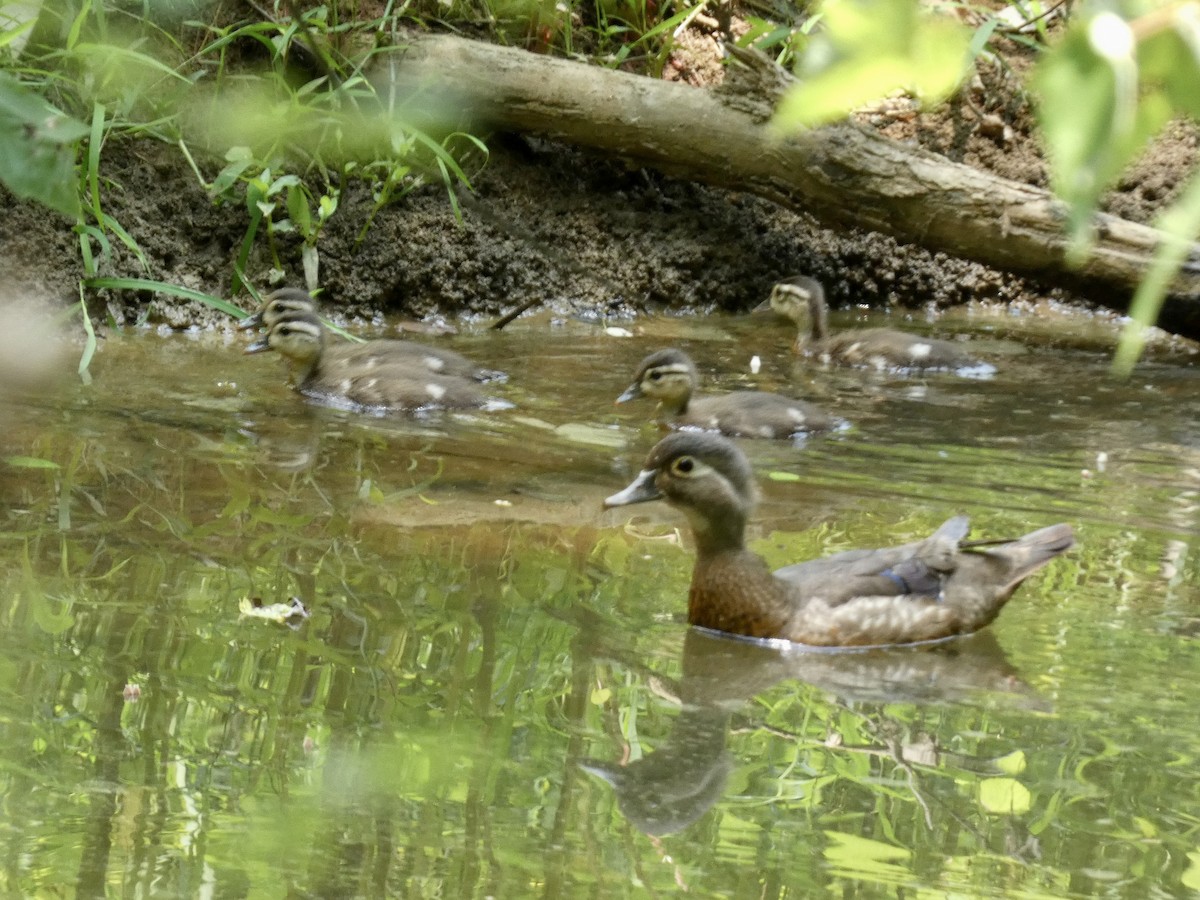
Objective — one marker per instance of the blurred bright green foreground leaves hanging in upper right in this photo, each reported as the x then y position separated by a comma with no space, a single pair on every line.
1115,79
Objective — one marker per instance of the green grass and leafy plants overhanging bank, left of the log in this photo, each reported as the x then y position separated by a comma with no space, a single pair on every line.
290,143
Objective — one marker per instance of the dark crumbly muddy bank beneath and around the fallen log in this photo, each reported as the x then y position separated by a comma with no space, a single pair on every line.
547,224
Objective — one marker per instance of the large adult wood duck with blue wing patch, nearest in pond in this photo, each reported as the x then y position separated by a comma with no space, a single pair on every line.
917,592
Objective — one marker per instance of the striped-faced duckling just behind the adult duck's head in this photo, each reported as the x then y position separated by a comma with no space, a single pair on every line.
671,377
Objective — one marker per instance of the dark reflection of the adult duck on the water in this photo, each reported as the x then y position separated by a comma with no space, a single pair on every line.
667,791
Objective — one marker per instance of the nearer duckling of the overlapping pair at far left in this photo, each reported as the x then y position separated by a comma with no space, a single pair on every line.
346,376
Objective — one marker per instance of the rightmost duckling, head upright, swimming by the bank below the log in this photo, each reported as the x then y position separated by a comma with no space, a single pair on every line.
802,301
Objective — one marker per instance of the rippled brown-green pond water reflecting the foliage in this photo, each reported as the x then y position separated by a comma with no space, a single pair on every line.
495,693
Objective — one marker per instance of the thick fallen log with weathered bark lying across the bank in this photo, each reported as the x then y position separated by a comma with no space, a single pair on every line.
845,176
